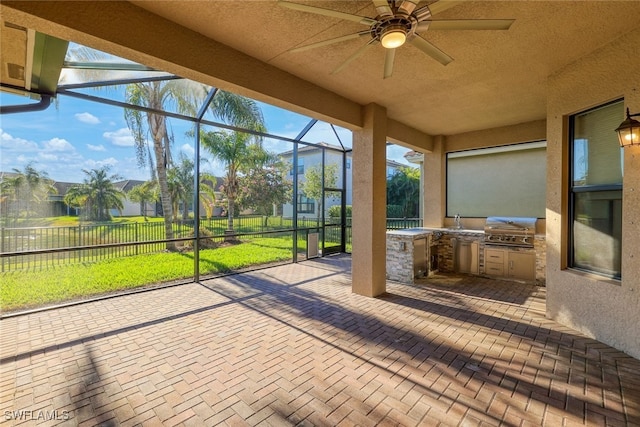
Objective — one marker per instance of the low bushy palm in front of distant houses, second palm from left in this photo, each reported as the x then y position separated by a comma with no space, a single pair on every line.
97,194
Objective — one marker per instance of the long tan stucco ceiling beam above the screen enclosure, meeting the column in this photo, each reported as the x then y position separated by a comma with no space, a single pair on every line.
125,30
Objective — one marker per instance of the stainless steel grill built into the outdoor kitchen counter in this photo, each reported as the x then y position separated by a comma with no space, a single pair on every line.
510,231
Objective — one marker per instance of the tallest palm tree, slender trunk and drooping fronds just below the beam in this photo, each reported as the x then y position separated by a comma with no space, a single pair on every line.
186,96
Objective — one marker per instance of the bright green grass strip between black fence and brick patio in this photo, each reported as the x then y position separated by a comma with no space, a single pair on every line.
28,289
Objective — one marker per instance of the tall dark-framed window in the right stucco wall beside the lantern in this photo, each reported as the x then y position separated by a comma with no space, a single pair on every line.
596,191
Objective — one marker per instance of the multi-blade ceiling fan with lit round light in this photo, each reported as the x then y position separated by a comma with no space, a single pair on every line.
397,22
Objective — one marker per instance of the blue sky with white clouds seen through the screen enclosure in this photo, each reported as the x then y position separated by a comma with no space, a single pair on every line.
74,134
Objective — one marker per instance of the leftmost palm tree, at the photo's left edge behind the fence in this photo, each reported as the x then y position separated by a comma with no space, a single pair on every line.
26,186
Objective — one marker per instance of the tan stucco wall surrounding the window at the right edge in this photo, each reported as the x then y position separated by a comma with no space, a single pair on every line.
606,310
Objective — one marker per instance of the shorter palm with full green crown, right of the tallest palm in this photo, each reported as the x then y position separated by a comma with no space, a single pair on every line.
239,151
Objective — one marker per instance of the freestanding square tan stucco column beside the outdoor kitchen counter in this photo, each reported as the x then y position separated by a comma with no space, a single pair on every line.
369,227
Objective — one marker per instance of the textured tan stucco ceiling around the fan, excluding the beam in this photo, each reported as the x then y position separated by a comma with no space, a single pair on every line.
497,77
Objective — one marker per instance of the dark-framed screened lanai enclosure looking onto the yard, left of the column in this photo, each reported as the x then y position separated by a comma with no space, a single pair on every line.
117,176
